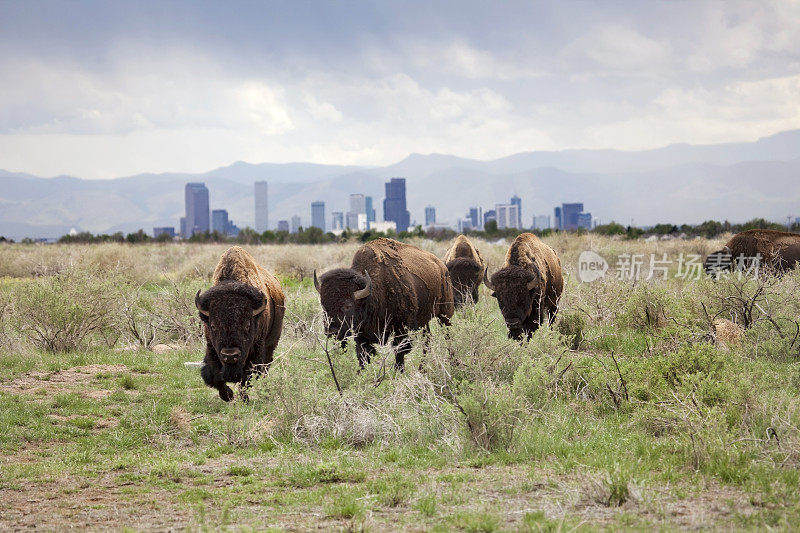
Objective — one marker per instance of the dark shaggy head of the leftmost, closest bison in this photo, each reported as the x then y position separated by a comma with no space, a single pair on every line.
230,312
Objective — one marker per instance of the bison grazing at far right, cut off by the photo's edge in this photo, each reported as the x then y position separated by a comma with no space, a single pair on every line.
776,251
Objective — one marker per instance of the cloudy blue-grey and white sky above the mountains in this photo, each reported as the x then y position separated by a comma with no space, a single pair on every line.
105,89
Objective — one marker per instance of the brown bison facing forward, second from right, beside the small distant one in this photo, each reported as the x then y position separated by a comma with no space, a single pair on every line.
528,286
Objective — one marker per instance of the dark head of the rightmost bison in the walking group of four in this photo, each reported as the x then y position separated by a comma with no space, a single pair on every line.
518,292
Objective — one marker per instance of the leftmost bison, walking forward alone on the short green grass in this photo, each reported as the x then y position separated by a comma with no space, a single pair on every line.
242,316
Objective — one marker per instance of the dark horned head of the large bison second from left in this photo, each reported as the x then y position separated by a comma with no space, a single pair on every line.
344,294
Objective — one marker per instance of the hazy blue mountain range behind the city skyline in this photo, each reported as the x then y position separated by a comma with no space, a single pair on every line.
678,184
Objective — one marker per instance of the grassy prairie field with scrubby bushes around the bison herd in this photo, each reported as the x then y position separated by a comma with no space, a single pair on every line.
668,403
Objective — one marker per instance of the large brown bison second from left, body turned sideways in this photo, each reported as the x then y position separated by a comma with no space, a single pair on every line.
391,288
